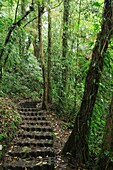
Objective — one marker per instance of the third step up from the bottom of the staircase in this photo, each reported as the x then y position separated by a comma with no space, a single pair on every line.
19,141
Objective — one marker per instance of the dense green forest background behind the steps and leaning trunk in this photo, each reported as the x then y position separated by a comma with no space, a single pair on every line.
60,63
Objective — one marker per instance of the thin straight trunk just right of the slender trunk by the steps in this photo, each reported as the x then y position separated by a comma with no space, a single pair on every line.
49,55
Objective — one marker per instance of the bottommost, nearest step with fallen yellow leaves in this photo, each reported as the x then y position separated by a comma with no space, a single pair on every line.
32,163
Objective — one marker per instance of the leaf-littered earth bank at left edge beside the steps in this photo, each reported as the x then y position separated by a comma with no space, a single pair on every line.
9,119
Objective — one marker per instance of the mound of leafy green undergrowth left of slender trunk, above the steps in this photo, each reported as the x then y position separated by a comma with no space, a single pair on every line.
22,81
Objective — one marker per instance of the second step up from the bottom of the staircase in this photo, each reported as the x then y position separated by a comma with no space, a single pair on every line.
25,151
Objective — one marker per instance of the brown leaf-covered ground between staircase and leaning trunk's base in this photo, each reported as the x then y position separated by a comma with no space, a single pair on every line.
61,134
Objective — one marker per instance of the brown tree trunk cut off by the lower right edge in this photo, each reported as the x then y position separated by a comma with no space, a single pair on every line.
105,160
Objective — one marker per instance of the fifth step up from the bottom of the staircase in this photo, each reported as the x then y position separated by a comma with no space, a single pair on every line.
36,128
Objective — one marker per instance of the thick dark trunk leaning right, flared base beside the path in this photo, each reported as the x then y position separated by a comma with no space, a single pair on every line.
77,143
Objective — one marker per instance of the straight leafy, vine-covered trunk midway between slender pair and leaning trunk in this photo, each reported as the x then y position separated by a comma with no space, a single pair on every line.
64,86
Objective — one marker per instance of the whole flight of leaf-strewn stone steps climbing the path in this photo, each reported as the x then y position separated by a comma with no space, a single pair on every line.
32,147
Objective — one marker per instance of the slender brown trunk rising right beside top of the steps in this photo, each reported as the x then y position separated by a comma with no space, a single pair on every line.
40,12
